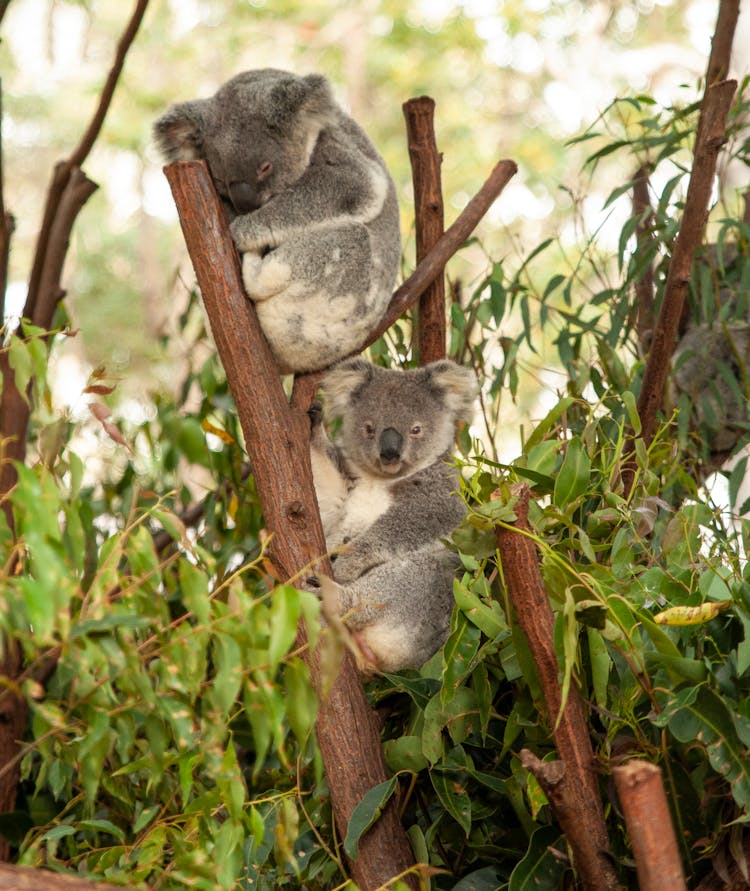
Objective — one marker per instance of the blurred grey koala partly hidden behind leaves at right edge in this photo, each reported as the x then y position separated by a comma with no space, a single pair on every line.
711,366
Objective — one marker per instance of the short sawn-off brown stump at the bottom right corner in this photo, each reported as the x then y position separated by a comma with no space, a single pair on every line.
649,824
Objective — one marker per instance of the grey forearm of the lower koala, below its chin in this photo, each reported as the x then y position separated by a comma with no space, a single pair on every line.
425,507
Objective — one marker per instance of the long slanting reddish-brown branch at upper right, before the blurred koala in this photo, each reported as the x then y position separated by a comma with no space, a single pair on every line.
688,240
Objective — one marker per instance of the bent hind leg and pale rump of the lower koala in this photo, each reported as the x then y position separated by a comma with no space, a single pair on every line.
399,612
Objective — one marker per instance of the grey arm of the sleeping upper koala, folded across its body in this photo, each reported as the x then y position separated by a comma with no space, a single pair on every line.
340,185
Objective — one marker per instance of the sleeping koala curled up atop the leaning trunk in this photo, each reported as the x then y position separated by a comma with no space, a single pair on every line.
312,208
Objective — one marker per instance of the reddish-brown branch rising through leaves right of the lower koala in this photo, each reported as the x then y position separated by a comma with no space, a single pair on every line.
576,799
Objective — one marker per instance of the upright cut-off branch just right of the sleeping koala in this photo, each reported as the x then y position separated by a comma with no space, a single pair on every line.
428,204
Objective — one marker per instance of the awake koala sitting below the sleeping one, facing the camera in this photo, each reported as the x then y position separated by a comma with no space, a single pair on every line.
388,495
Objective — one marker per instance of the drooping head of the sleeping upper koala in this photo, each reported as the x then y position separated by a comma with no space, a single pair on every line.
256,133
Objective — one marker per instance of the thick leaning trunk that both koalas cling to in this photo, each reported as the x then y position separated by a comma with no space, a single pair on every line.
277,442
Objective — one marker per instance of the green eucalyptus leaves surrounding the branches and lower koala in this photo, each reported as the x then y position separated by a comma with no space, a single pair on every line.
170,737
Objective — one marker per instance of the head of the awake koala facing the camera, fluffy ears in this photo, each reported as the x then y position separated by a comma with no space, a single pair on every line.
395,423
